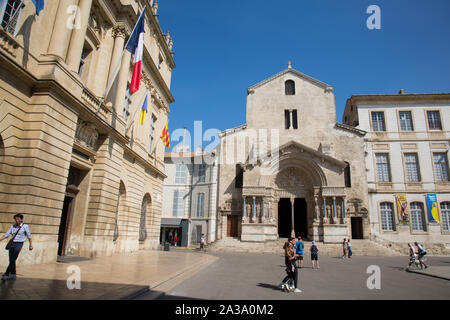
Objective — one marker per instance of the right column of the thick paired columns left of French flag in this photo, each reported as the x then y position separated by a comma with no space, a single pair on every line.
77,40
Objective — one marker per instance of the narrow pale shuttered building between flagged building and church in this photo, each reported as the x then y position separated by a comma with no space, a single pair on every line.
190,197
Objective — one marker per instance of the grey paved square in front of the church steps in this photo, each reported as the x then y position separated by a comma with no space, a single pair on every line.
246,276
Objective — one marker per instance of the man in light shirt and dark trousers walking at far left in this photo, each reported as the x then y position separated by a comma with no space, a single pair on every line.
19,232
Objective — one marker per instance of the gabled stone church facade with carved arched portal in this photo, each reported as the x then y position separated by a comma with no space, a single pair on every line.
292,169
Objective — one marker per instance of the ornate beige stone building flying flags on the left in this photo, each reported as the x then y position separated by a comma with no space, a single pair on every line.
87,177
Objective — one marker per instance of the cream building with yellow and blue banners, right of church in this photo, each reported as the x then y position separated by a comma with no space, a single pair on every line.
407,157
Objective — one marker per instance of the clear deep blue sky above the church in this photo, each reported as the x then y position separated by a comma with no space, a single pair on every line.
224,47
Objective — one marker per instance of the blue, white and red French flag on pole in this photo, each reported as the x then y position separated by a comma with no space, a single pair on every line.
136,46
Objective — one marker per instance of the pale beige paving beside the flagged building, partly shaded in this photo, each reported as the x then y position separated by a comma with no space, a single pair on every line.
121,276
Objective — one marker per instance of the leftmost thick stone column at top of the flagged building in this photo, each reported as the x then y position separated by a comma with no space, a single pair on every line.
59,41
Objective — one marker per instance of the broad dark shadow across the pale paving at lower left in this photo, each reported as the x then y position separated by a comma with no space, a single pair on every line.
45,289
